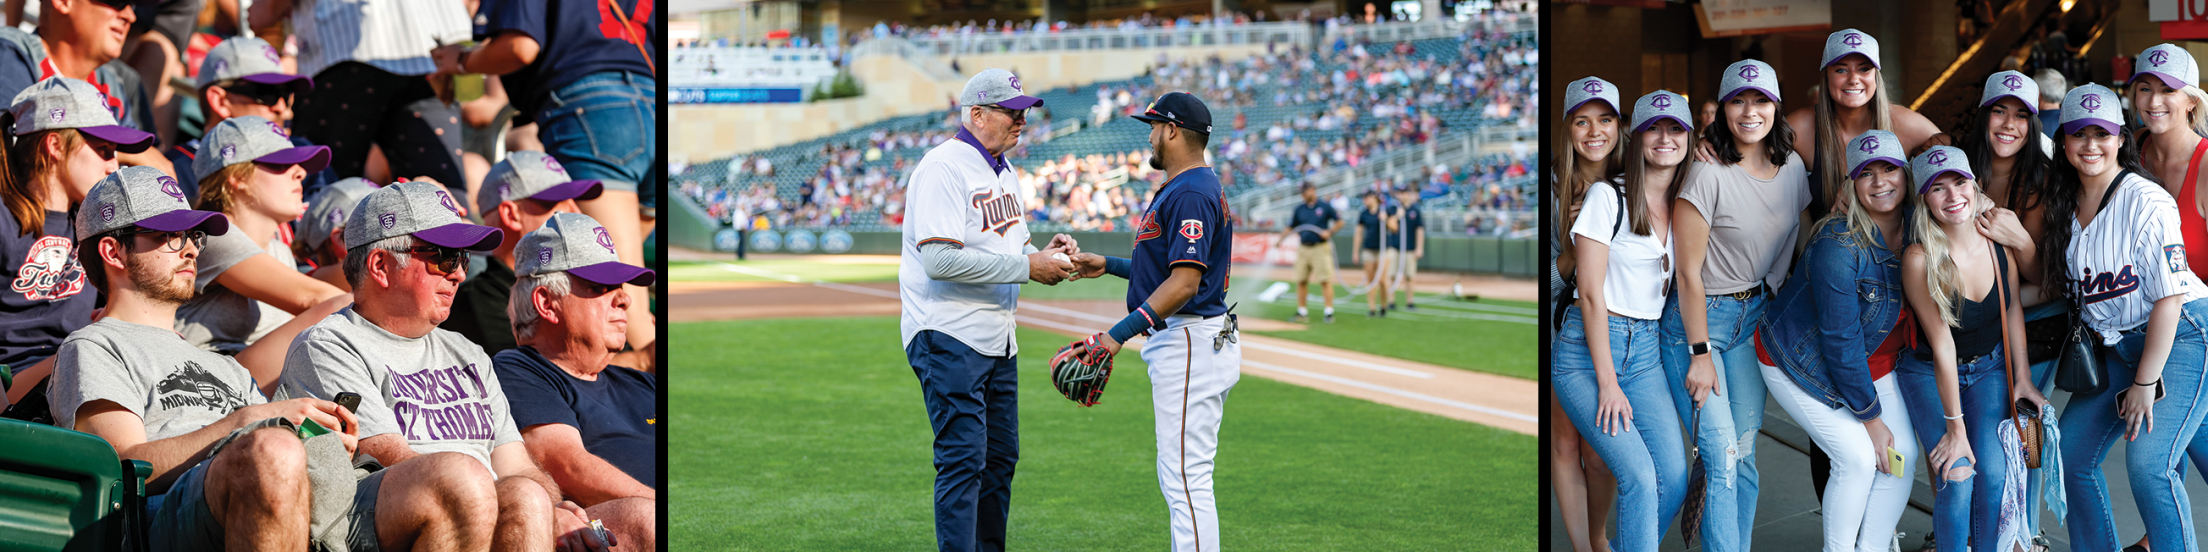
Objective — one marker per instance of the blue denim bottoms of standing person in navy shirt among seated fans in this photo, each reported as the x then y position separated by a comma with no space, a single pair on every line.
604,127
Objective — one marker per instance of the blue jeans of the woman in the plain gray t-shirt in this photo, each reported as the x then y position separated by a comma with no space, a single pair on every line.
1730,421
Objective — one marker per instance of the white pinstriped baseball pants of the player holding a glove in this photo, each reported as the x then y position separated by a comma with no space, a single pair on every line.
1189,388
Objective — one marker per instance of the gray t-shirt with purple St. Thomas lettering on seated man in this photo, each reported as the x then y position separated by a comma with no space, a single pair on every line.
438,390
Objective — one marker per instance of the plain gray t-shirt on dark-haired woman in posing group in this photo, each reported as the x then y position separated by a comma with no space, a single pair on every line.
1752,224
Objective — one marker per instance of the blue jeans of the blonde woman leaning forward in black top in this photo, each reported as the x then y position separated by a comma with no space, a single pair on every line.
1966,513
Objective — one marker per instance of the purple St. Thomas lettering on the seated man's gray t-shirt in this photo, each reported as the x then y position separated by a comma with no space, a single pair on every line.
440,405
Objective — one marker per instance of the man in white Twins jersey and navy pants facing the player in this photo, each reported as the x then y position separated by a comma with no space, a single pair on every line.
966,257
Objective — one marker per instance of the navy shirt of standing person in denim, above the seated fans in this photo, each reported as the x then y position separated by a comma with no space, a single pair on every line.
575,41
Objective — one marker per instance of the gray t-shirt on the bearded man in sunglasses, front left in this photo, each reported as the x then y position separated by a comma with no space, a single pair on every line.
169,383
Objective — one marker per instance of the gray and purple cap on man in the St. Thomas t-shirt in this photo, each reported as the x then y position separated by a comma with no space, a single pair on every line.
416,209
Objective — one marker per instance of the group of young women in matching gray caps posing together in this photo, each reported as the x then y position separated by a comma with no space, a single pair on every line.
1896,335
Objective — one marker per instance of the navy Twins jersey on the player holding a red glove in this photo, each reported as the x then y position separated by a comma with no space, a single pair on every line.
1185,226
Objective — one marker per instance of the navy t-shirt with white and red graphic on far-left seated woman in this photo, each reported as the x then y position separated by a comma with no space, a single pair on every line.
47,295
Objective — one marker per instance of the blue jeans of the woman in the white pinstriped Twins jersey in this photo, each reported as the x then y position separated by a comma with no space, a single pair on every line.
2154,458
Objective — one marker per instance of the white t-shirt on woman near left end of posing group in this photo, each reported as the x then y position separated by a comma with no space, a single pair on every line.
1633,284
